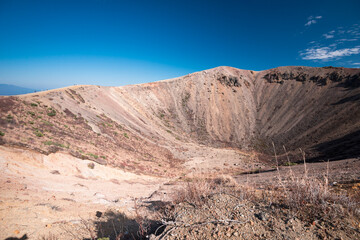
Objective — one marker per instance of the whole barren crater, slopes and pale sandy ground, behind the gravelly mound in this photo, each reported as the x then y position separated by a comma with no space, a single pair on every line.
146,138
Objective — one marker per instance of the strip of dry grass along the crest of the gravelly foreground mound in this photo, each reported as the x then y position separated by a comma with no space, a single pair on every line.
305,195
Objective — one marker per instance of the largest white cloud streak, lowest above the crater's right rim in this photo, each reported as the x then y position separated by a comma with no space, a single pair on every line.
324,53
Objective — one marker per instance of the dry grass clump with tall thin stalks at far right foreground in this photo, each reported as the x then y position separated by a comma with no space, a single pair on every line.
310,193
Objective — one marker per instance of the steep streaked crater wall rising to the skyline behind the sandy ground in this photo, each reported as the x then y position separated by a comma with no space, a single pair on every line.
150,128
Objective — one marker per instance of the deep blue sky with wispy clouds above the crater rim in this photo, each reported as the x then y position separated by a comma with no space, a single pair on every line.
50,44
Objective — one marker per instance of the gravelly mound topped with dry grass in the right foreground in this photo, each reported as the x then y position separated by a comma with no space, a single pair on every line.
300,202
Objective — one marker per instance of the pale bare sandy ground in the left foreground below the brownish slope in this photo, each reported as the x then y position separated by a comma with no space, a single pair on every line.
39,193
